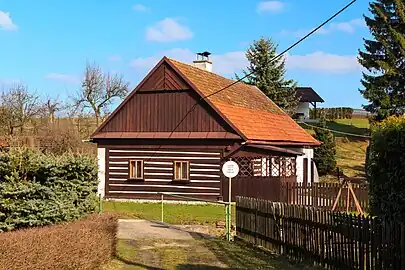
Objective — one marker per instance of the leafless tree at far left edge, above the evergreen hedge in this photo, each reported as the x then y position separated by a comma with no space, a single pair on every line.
18,108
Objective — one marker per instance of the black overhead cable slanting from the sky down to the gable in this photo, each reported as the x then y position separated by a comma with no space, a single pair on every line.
271,60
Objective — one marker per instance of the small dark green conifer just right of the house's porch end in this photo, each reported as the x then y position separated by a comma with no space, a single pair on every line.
325,154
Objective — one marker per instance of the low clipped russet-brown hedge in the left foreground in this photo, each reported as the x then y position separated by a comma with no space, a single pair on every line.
83,244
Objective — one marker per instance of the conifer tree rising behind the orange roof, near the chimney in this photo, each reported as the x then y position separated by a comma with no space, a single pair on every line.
269,75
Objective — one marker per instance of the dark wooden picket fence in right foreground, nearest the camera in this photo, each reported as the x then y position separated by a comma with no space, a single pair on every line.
330,239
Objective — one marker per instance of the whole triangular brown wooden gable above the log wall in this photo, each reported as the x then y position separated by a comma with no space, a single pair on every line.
159,104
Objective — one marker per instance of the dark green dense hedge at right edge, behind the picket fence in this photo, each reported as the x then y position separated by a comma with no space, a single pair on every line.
385,169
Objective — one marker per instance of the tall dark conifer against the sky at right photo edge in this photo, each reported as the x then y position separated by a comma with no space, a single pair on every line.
384,59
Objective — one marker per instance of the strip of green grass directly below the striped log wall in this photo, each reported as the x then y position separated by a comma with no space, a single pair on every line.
173,213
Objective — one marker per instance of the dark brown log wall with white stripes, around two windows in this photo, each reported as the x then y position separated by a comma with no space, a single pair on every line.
158,173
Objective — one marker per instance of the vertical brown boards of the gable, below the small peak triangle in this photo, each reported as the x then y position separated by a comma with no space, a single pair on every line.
162,112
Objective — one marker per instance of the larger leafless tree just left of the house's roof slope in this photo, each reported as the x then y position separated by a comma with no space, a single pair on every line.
99,91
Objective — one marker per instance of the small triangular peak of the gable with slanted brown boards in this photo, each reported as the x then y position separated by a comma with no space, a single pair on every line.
164,78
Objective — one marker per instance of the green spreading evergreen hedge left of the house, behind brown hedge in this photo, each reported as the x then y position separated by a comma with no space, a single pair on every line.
38,189
